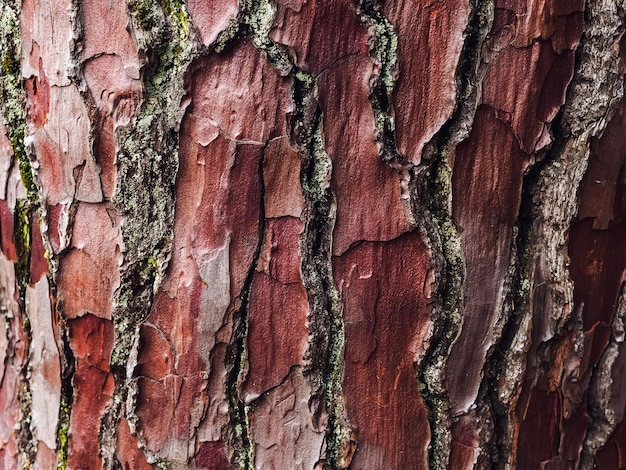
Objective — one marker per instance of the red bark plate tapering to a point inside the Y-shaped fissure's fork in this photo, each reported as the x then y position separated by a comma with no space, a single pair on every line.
430,38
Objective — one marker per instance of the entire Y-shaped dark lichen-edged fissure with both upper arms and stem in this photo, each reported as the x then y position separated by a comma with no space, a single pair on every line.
430,186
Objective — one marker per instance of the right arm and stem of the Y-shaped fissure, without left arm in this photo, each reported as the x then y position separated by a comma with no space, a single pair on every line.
432,189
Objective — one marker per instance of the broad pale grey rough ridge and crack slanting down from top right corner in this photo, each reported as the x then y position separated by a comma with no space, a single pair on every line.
546,213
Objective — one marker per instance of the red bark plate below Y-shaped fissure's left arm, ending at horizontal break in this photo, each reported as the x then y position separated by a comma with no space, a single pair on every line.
369,197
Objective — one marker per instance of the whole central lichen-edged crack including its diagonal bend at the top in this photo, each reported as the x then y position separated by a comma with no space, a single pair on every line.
325,350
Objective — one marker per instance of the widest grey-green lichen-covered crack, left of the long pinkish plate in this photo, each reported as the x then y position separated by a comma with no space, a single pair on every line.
144,195
